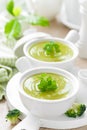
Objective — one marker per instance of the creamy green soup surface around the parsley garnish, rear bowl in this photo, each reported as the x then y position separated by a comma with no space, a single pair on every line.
36,51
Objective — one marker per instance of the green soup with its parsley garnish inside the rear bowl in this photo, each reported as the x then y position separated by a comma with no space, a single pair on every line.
50,51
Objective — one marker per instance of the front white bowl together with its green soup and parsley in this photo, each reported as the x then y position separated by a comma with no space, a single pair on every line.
47,92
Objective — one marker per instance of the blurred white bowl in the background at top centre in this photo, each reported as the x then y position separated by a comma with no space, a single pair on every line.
48,8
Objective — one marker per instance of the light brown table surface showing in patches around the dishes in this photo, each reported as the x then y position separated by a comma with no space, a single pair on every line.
55,29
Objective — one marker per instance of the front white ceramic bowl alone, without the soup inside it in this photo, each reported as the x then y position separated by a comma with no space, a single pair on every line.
48,108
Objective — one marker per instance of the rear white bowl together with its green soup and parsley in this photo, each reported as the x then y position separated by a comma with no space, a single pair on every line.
51,52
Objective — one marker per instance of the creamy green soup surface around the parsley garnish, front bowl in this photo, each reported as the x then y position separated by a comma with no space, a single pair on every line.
64,87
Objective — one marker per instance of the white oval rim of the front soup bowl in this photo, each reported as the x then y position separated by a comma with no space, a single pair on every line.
65,73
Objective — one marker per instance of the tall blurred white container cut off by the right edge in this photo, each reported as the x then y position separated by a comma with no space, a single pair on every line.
82,43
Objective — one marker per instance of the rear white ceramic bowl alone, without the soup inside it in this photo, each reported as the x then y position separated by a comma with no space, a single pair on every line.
65,64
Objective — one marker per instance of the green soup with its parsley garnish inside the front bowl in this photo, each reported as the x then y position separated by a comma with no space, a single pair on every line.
47,86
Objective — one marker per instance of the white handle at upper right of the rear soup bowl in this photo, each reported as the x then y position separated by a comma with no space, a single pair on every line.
72,36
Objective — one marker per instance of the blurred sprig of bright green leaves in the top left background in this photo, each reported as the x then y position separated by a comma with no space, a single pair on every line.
13,28
